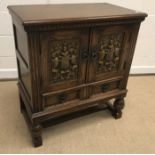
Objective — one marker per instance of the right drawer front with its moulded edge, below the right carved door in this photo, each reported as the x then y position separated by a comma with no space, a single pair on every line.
105,87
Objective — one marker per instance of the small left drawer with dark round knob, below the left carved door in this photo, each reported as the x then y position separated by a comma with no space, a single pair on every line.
61,98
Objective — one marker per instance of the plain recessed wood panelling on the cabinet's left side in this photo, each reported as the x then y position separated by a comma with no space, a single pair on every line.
21,45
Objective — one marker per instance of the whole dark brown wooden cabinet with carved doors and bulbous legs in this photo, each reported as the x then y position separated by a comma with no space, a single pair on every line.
69,60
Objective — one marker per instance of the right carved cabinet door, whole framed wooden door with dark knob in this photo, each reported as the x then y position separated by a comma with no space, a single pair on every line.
109,46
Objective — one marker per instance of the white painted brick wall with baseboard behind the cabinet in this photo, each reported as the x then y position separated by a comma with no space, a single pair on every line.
144,59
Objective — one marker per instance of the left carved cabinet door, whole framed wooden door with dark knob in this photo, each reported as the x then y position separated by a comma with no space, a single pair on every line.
63,58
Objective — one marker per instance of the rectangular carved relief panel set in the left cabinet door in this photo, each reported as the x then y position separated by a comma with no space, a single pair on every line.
63,58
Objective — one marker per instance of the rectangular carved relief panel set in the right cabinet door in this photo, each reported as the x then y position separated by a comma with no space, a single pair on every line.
109,52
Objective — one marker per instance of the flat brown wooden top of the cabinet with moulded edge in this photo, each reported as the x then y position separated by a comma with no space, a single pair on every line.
54,13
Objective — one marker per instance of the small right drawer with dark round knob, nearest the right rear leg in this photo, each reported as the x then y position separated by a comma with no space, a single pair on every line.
105,87
